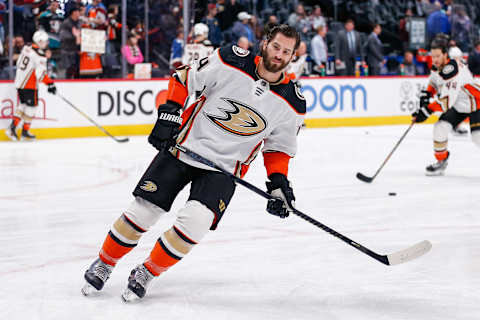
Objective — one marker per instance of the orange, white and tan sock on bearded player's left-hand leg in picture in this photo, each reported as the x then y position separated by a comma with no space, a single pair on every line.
121,239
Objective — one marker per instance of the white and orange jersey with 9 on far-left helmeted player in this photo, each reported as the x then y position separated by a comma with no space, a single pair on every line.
31,68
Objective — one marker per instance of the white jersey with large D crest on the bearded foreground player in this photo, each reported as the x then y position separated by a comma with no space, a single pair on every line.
238,111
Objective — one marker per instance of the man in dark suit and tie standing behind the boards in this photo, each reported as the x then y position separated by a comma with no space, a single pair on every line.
347,48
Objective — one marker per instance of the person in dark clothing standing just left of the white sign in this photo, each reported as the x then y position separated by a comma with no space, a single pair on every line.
70,41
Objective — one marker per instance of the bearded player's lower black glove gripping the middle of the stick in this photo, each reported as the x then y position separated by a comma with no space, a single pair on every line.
279,187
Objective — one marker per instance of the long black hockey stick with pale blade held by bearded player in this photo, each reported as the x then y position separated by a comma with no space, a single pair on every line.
402,256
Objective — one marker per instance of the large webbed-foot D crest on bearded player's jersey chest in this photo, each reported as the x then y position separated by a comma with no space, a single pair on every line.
240,120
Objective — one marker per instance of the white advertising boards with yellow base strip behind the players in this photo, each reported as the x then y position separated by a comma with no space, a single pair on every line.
127,107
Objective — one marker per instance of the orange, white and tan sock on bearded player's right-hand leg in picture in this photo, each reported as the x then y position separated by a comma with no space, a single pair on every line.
170,248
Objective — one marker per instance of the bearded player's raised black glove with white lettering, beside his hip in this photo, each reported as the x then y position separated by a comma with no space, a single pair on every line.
167,126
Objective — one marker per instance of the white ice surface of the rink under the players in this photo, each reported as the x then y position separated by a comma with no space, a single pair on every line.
59,198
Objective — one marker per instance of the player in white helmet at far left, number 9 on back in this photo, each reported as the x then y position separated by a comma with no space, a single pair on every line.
31,68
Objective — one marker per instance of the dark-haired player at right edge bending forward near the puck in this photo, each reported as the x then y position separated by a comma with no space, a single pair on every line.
455,94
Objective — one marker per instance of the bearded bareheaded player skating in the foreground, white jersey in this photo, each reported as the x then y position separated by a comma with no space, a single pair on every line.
247,101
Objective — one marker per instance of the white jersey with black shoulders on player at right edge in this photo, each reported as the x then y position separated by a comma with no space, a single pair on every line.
455,87
